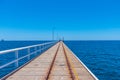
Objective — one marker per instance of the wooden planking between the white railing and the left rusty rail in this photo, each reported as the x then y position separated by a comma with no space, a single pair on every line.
37,69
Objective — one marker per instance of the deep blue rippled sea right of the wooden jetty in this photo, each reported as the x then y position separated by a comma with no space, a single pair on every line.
101,57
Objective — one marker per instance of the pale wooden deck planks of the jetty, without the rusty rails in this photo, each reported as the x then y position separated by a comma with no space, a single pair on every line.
38,68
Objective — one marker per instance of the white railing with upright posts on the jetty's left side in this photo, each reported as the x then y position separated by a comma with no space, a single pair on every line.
42,47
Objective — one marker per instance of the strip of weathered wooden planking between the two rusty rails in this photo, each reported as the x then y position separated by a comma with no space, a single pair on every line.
60,69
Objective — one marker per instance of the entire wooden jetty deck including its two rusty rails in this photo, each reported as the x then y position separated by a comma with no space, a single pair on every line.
57,63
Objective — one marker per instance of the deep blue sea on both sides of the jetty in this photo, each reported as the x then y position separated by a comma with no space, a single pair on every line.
101,57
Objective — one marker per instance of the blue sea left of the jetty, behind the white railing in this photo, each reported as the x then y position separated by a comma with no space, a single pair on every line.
5,58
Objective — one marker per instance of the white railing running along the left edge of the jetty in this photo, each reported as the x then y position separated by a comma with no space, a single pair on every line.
37,49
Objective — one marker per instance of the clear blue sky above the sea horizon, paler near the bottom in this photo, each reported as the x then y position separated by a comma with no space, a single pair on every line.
73,19
